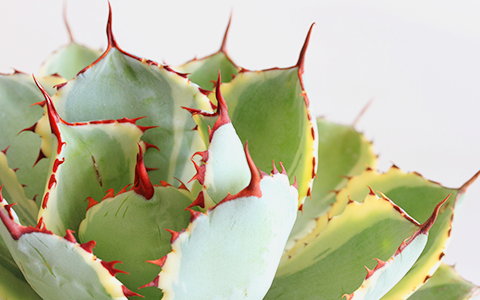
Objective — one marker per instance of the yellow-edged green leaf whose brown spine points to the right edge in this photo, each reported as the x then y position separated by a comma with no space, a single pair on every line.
416,196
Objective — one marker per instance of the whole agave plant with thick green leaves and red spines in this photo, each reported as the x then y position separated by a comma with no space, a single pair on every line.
143,185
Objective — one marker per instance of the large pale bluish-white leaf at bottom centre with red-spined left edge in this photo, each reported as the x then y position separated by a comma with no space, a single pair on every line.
234,248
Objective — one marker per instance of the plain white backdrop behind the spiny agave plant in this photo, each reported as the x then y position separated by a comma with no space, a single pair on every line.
418,59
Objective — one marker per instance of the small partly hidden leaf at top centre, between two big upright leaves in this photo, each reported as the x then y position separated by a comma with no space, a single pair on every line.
204,71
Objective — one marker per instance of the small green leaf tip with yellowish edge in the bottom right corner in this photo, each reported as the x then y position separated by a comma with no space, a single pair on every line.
446,284
